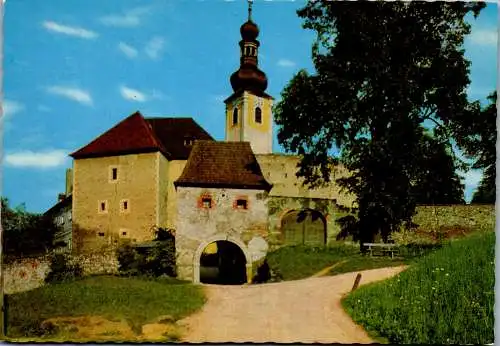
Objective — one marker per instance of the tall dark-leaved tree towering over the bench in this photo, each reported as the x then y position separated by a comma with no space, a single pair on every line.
381,70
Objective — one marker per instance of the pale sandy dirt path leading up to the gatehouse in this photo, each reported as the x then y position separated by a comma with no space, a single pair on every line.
306,310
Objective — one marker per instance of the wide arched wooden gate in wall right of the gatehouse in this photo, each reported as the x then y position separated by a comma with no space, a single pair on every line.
304,227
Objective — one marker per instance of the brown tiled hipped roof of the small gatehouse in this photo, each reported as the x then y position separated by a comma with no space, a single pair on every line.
223,165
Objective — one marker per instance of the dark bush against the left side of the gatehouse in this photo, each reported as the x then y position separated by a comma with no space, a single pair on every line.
156,259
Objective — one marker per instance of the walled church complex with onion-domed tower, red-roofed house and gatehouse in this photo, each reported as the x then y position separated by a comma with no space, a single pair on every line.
235,197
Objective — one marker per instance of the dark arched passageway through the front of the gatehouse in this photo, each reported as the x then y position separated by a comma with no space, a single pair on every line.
223,263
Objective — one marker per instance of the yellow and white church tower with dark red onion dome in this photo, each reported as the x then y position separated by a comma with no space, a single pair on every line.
249,109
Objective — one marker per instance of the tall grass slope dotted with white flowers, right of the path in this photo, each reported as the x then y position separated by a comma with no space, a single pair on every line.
446,297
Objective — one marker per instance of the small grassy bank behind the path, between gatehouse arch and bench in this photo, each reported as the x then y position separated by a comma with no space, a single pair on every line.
298,262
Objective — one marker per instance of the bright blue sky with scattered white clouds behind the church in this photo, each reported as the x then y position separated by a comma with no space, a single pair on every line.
74,68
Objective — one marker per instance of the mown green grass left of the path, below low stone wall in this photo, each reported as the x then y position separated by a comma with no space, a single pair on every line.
136,300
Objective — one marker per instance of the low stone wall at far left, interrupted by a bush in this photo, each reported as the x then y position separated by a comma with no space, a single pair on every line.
24,274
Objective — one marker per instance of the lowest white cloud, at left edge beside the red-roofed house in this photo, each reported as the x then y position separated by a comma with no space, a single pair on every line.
31,159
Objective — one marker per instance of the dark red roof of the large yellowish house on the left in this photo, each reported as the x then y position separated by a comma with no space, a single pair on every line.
135,134
